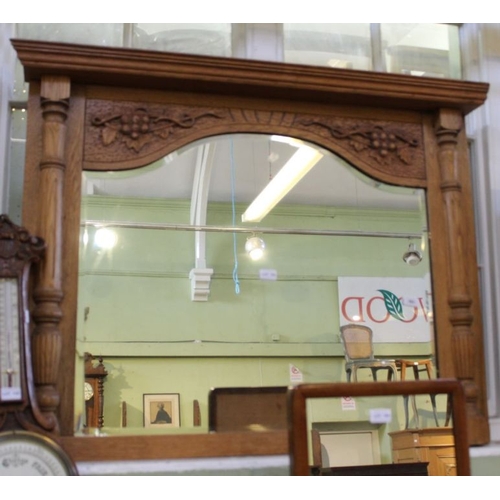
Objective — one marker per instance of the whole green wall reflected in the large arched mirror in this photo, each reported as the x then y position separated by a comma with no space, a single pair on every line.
142,321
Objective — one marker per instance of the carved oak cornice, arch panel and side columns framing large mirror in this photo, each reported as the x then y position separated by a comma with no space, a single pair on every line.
78,94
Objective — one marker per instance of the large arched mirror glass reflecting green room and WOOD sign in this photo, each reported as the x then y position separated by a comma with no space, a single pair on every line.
171,300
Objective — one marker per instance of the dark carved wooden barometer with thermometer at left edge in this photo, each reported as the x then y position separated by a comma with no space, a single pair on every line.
27,443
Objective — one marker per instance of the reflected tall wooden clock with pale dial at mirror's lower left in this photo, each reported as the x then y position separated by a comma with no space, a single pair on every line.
95,373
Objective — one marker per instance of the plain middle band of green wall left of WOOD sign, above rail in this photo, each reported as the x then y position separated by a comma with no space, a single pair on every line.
132,308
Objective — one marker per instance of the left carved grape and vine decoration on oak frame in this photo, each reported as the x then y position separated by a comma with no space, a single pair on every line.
139,127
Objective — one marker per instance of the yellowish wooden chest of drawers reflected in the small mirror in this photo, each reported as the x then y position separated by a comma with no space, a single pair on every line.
434,445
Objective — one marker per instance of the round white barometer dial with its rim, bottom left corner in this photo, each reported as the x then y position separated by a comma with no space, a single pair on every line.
28,454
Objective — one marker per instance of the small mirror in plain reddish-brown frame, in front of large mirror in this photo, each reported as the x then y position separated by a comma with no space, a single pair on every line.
371,429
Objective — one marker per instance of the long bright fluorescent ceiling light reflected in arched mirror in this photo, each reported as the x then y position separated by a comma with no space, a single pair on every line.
292,172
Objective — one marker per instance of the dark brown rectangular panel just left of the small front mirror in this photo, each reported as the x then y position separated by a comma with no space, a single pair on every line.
247,409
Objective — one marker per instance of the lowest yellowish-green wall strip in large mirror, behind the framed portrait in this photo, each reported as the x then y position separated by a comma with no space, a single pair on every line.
129,378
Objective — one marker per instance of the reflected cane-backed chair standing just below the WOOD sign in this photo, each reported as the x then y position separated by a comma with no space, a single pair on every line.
357,341
